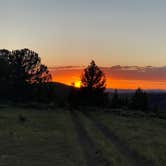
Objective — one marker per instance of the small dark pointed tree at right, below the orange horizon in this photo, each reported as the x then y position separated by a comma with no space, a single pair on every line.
140,100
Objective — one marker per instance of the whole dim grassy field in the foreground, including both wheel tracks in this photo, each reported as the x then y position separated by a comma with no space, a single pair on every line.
77,138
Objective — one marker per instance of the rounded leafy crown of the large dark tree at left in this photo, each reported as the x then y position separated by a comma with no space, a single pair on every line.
27,67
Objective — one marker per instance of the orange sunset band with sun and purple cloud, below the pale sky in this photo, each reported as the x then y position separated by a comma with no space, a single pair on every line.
118,77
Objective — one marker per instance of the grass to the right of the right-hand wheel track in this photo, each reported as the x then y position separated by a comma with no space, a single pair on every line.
146,135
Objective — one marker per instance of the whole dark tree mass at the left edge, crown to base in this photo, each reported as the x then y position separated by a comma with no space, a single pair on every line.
19,70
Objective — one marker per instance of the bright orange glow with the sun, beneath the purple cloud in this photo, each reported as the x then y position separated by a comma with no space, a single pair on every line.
72,77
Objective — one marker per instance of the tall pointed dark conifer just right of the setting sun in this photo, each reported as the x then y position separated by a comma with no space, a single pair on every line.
93,83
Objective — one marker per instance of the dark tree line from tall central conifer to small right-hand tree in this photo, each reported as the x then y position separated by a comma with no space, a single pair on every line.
92,92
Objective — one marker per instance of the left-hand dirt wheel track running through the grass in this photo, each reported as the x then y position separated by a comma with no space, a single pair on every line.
92,154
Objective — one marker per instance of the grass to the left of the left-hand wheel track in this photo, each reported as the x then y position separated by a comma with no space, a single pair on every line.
45,138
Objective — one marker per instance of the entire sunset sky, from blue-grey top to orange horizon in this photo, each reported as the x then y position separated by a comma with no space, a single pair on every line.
126,34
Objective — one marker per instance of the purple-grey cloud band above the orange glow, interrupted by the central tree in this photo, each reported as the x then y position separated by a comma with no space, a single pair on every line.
147,73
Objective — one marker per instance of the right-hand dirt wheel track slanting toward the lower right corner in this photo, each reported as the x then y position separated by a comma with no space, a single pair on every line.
133,157
